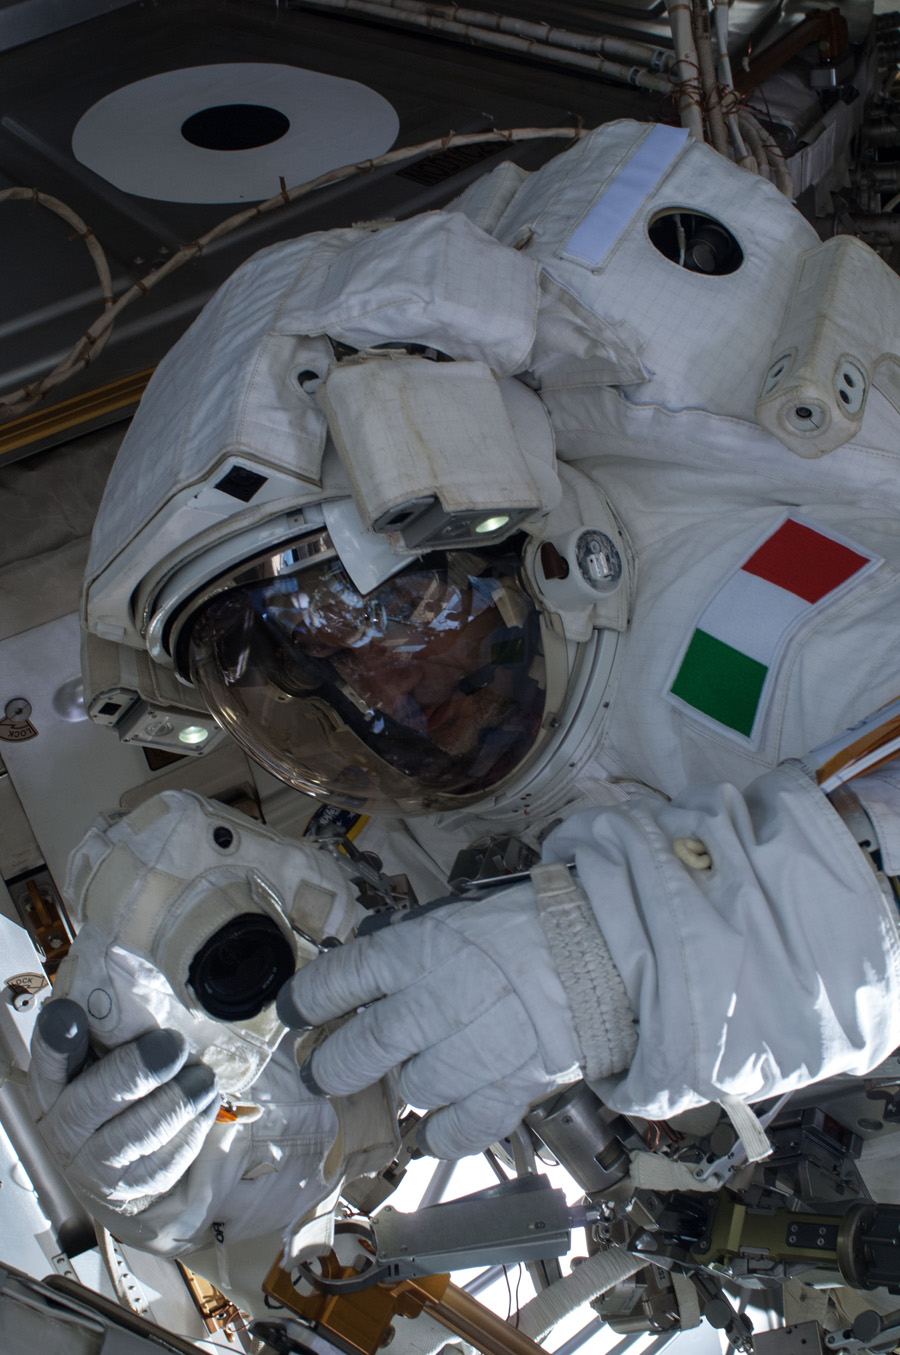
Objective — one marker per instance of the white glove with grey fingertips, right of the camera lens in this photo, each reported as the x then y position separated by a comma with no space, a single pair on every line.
472,1014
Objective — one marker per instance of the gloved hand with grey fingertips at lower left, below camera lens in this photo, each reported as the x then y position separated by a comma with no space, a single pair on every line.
128,1128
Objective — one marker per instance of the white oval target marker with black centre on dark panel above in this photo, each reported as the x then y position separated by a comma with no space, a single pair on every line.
231,132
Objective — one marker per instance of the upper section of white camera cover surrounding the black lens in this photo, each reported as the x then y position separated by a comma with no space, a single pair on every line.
152,888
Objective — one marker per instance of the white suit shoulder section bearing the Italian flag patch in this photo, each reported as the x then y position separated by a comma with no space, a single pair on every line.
768,593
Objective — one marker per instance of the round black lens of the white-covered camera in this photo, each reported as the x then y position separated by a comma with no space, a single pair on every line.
241,970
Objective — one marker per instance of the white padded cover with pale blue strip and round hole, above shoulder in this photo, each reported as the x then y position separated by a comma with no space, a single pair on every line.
704,341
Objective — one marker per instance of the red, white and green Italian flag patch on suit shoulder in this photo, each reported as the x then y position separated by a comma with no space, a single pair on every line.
741,635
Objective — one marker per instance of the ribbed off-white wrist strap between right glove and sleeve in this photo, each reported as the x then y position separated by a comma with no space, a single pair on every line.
601,1012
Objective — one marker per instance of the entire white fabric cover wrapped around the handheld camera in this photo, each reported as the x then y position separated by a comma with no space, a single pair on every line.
132,888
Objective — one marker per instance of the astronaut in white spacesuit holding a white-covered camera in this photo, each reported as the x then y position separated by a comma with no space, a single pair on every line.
472,516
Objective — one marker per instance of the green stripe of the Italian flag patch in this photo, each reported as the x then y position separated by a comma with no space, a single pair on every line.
720,682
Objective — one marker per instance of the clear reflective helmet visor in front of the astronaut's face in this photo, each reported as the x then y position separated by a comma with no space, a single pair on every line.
430,686
